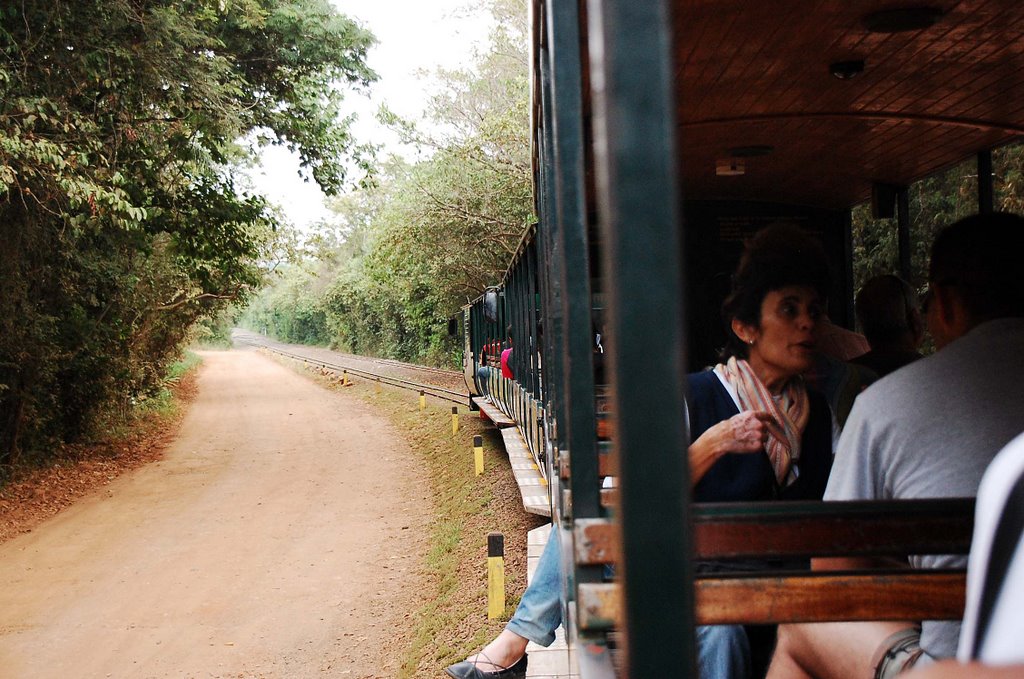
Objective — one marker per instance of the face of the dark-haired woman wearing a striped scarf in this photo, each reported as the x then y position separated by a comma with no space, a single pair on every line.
784,344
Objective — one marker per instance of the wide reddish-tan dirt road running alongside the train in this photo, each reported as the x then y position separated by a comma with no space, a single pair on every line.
281,536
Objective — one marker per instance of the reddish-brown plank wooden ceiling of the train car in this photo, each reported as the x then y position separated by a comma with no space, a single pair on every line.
757,73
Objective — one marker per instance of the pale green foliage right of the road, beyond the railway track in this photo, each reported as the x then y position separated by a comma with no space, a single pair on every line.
429,237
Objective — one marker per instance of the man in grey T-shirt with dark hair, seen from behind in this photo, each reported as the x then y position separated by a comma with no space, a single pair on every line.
928,431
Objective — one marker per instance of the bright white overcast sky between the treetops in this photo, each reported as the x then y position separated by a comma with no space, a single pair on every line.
413,36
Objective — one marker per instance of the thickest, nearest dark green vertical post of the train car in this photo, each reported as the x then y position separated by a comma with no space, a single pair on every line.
639,206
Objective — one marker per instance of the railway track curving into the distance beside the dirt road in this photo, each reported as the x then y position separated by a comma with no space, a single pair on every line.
356,365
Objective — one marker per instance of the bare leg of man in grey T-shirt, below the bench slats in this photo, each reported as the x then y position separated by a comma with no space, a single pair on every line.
829,651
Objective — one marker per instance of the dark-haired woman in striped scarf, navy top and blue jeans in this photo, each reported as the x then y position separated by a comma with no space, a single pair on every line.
760,435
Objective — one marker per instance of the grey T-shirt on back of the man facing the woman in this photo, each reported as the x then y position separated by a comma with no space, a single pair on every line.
935,423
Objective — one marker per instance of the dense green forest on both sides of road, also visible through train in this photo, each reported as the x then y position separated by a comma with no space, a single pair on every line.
126,224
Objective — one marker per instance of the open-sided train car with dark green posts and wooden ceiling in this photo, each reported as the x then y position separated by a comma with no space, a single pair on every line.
666,133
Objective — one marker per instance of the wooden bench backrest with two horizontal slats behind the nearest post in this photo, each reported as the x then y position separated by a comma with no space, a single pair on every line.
799,531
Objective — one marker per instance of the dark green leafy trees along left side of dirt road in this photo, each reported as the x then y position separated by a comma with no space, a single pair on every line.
120,223
